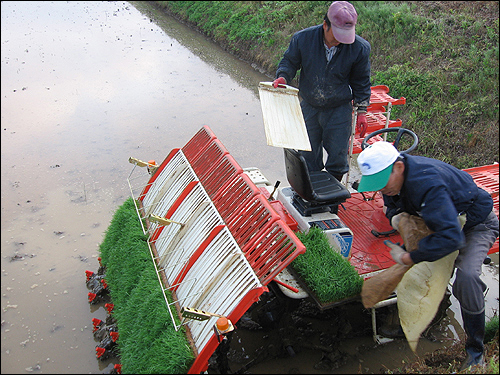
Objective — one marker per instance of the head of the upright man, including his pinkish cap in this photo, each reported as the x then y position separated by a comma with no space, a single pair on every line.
343,17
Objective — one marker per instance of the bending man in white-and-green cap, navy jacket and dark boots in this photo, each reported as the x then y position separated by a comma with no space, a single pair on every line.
438,193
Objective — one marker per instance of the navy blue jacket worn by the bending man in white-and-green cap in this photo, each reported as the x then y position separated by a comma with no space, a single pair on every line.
438,192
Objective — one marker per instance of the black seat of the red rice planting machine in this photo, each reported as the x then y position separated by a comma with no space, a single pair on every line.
314,192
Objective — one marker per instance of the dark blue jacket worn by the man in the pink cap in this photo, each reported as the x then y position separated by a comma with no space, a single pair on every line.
327,84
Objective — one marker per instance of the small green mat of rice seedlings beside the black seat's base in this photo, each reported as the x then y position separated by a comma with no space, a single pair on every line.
325,274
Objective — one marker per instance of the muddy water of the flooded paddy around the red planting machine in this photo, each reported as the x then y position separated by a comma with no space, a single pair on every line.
86,85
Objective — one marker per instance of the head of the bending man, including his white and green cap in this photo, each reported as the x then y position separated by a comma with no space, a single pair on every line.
381,169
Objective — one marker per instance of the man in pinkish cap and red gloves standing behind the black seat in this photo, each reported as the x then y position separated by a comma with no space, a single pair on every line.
334,71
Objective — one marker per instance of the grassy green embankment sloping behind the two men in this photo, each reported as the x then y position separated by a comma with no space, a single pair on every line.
441,56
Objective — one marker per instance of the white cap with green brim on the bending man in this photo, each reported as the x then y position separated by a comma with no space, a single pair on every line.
375,163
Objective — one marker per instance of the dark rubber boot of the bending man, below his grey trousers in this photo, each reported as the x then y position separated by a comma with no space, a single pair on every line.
474,329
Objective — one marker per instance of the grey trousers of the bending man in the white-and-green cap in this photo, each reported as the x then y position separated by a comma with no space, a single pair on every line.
468,287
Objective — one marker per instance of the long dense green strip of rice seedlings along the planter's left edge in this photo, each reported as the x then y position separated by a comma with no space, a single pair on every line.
148,342
